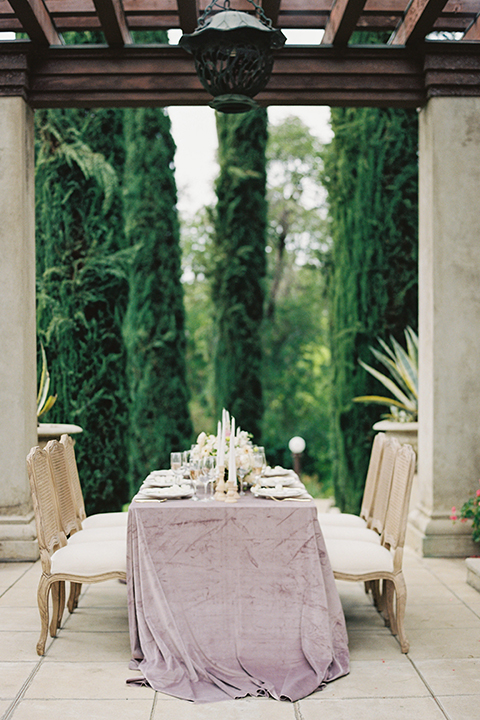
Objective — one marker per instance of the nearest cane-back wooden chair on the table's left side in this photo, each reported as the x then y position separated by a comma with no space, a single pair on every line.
86,562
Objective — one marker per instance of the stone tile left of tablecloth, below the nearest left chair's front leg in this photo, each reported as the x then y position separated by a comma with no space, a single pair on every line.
72,646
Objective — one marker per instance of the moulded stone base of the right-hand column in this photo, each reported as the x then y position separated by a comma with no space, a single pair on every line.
437,536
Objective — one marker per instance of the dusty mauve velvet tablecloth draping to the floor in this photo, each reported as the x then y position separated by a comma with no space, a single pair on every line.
226,601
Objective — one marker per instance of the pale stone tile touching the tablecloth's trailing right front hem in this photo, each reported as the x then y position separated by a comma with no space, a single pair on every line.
375,678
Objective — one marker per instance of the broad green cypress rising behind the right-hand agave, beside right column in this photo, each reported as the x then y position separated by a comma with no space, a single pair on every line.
371,178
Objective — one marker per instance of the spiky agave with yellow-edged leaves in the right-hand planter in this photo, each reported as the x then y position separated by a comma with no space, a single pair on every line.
403,384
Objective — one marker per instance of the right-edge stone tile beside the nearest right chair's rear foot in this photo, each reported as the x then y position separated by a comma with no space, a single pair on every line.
437,643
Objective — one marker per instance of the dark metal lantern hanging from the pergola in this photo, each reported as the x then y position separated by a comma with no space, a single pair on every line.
233,53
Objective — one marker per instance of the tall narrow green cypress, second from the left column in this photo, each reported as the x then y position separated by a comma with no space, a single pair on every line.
154,329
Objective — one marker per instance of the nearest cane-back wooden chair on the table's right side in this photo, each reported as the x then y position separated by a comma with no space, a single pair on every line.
356,560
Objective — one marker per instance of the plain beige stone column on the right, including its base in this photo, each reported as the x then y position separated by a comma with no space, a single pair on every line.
449,324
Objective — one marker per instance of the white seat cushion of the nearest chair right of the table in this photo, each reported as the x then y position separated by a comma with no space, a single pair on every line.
356,557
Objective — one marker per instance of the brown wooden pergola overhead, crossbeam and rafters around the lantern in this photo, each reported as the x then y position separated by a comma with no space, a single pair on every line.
404,72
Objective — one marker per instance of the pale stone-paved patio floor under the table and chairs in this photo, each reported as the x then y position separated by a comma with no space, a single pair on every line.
83,672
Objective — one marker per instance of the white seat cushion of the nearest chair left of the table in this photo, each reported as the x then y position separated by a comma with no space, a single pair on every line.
93,558
